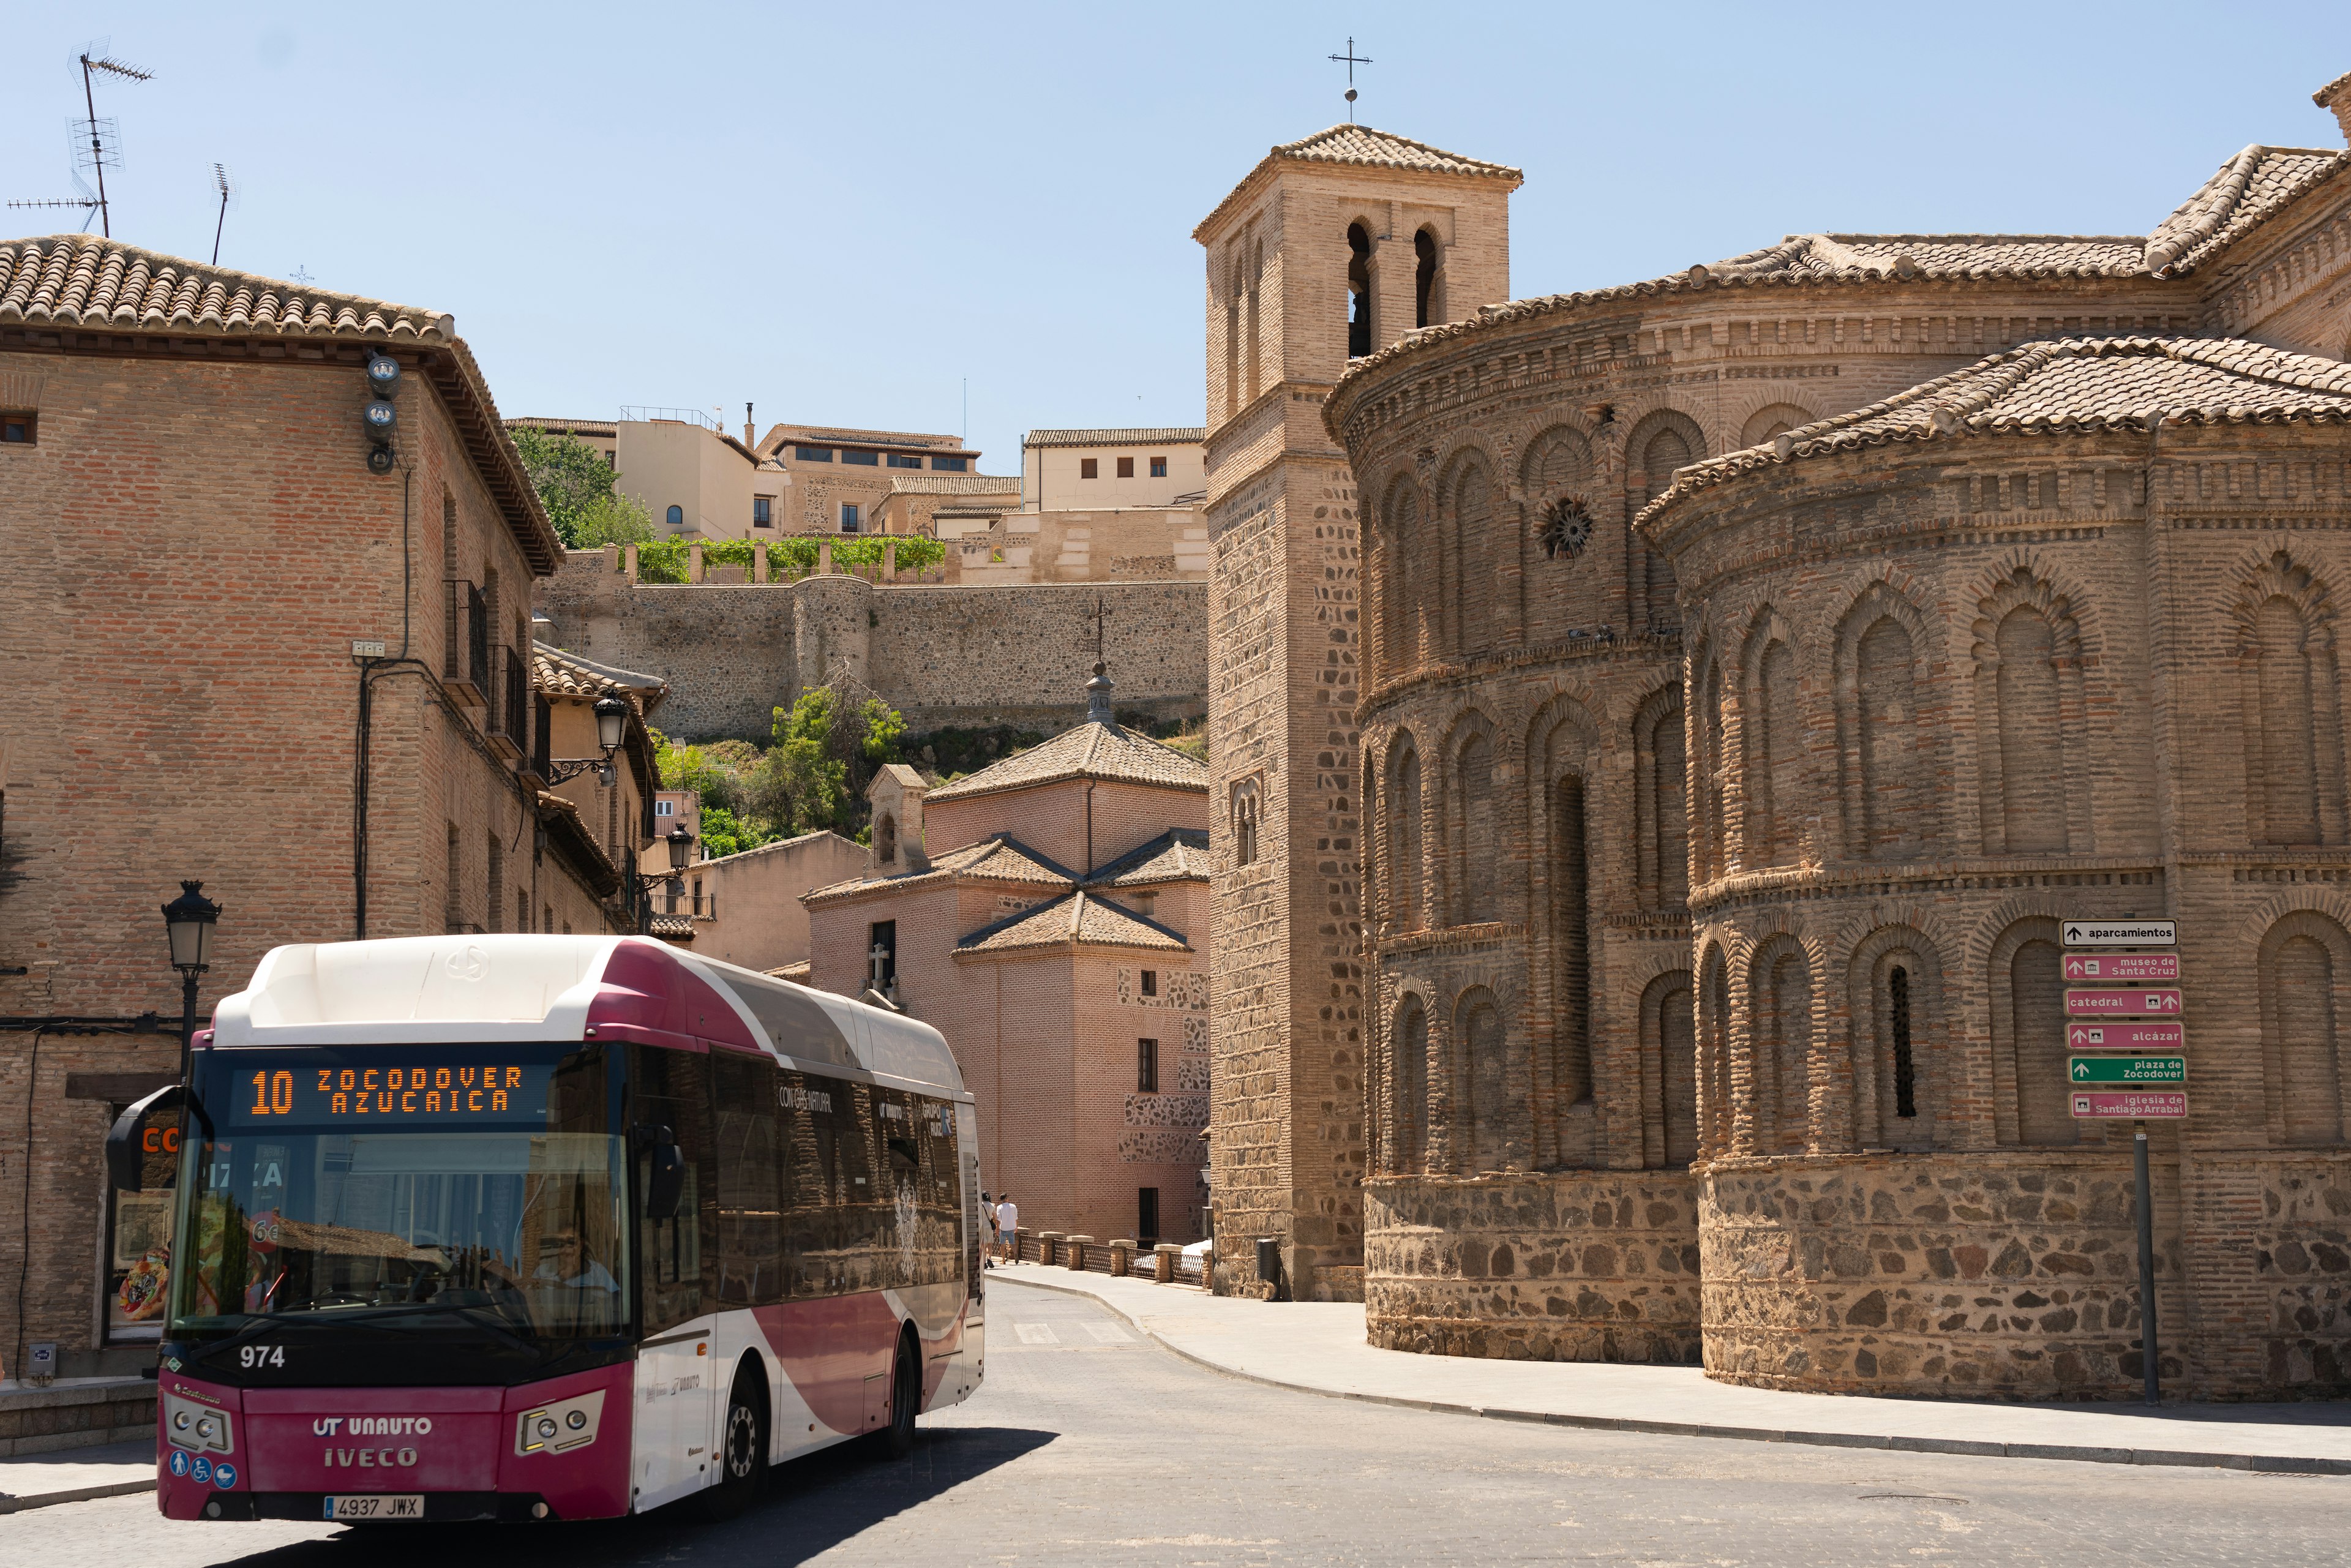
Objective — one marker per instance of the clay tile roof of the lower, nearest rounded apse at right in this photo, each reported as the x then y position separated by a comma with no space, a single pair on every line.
2065,387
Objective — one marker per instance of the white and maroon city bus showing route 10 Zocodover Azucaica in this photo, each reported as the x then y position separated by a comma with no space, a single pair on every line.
549,1228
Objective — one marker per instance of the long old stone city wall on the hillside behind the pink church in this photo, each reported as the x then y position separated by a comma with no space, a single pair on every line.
974,657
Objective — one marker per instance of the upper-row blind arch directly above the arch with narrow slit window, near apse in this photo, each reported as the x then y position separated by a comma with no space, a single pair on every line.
1887,725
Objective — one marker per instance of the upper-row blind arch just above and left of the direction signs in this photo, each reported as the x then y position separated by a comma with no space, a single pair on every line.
2030,721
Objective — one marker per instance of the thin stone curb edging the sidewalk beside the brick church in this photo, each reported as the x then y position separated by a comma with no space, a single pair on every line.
1755,1435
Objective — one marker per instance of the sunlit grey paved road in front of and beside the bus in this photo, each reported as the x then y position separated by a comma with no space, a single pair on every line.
1094,1447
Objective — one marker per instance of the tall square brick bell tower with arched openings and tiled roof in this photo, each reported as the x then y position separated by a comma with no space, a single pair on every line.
1332,248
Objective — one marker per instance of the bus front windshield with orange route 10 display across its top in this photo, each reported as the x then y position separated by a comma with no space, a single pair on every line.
453,1191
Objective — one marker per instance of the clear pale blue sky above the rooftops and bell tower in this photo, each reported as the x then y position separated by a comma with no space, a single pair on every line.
843,213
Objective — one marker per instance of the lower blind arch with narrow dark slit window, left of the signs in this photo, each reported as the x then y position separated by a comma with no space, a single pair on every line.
1898,1043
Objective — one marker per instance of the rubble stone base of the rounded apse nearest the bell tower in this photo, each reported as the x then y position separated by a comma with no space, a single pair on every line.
1562,1266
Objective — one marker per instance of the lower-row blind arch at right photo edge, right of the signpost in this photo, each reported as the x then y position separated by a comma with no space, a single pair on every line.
2303,970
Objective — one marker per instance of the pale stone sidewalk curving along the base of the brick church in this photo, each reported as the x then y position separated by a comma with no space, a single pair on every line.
1320,1348
